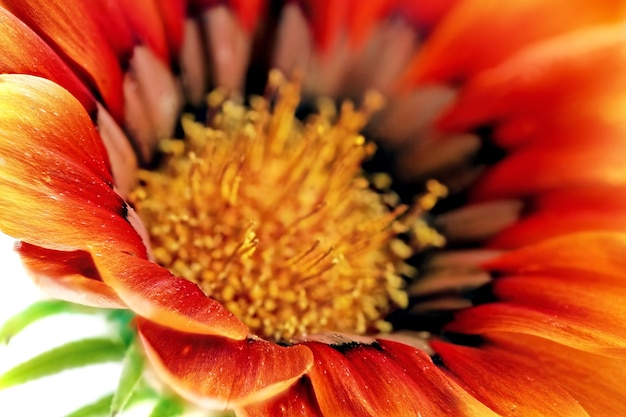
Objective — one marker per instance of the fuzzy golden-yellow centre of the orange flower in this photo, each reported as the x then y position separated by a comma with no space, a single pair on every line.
274,218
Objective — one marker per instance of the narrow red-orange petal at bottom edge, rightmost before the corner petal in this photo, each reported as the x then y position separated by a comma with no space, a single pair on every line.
506,383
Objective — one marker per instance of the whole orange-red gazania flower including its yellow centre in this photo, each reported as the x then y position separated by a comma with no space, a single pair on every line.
283,293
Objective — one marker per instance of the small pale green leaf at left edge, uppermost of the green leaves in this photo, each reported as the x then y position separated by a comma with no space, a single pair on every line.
38,311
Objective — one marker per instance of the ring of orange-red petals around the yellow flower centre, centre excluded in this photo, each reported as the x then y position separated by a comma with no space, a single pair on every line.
543,333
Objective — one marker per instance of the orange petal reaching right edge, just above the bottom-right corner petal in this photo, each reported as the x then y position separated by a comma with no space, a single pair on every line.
583,310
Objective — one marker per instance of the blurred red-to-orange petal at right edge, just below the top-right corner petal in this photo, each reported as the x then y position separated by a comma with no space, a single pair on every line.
530,96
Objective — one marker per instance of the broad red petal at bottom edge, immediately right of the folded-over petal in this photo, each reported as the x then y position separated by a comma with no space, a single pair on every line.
385,378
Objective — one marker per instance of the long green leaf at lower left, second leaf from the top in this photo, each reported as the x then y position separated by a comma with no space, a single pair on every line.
68,356
